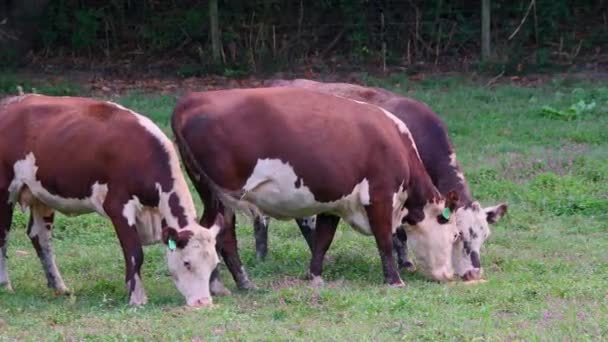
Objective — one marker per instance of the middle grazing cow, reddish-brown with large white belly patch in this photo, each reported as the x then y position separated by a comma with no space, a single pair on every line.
289,153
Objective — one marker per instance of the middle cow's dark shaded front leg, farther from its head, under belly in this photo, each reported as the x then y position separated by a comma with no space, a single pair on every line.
324,234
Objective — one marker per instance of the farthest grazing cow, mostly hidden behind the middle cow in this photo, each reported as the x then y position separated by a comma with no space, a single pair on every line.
439,159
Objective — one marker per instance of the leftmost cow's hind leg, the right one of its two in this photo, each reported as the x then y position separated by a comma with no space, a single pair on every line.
40,233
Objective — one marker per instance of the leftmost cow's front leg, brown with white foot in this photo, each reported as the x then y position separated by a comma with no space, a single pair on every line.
131,248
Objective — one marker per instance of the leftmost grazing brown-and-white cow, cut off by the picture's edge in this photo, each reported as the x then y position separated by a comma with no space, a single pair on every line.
77,156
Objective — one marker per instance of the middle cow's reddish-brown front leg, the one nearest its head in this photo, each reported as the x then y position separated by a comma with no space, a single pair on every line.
380,219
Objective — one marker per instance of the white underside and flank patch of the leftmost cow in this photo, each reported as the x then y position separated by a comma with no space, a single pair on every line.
25,175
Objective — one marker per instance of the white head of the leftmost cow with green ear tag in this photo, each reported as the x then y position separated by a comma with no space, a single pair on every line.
191,257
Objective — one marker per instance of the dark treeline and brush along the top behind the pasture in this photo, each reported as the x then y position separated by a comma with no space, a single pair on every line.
266,35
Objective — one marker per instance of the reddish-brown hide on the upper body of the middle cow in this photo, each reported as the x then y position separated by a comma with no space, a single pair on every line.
331,143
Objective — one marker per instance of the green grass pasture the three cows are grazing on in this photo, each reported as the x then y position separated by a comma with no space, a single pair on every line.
542,149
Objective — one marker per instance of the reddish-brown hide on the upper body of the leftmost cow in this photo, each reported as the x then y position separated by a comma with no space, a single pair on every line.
73,143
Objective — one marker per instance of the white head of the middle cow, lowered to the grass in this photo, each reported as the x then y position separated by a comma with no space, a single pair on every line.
432,233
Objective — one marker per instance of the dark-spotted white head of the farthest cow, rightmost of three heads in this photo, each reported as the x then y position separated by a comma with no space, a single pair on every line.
473,224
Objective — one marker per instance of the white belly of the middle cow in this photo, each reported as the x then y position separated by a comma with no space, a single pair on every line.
277,191
